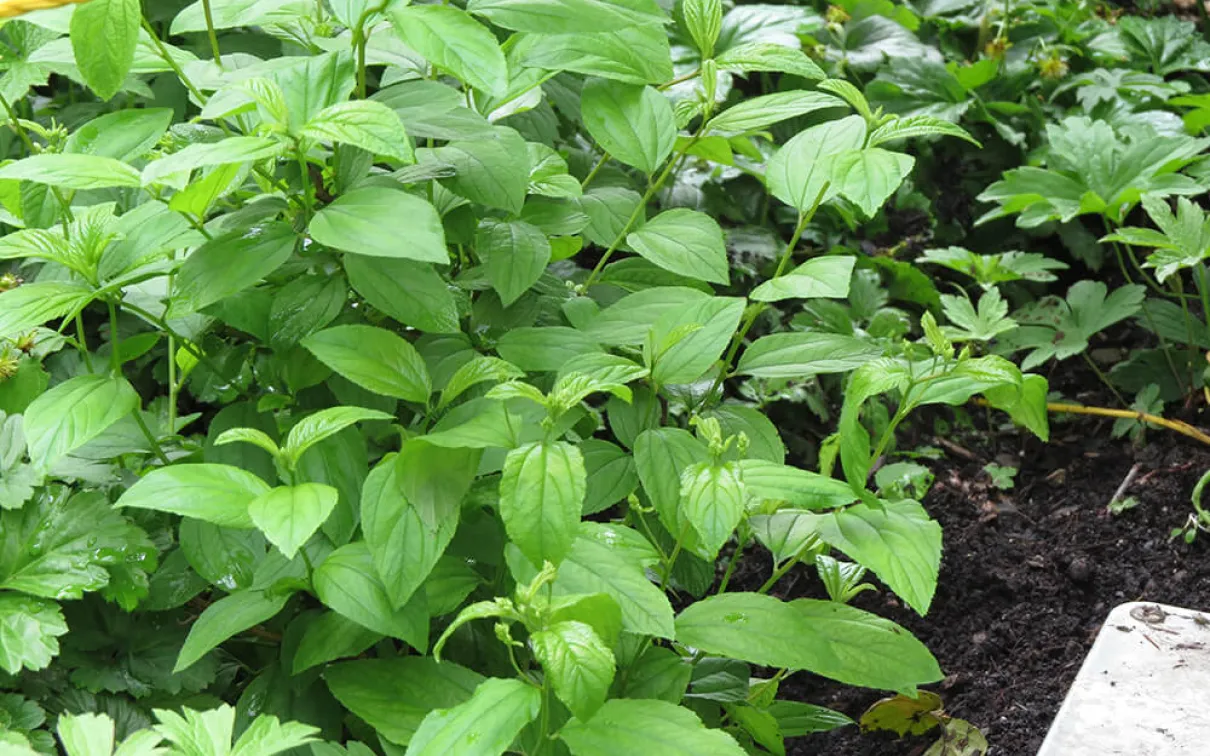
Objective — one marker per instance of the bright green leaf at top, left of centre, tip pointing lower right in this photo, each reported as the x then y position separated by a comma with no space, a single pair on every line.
456,43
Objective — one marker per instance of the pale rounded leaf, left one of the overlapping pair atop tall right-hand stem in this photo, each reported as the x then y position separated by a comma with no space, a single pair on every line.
800,174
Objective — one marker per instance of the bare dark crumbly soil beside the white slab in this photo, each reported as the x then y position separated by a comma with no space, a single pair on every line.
1028,578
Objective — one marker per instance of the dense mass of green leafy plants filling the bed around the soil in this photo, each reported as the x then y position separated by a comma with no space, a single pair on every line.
384,378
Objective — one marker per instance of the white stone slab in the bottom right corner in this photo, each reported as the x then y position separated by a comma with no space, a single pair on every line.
1144,689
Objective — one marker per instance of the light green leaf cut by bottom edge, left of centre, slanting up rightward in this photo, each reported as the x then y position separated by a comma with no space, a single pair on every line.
485,725
